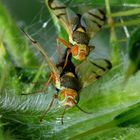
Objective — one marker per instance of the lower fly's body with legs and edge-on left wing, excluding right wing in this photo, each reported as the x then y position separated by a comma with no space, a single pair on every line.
66,81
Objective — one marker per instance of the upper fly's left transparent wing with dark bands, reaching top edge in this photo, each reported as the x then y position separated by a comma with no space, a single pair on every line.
63,14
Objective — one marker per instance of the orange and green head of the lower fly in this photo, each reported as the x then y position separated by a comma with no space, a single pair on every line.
67,97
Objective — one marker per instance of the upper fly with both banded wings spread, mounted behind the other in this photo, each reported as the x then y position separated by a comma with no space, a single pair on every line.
80,28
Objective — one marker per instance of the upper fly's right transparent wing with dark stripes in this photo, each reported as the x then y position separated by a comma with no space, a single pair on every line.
93,20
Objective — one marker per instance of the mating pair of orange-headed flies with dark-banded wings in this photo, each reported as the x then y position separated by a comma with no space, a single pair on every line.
80,29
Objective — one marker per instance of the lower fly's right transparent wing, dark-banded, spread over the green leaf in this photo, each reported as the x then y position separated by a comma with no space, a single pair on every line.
90,71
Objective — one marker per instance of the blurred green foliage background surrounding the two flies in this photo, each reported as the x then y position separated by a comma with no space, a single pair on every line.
114,99
